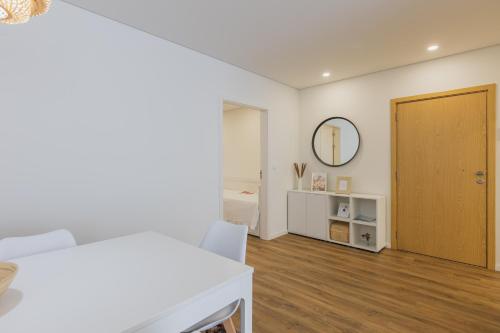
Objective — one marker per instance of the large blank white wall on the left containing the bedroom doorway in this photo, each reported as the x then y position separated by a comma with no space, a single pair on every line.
98,122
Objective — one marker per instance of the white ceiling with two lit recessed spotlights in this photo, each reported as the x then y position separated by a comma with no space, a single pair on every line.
295,41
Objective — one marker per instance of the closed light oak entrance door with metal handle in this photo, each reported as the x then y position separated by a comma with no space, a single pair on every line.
441,176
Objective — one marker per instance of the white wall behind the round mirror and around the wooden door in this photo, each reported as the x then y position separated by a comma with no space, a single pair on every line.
365,101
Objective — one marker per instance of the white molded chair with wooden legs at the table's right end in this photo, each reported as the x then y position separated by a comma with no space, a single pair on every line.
230,241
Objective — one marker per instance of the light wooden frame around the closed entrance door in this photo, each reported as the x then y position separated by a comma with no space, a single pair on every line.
490,90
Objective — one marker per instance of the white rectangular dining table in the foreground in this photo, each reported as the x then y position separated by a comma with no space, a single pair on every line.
144,283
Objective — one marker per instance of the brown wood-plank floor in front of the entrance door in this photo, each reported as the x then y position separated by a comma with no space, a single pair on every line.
304,285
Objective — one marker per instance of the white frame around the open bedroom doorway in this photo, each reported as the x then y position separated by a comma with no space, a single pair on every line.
264,150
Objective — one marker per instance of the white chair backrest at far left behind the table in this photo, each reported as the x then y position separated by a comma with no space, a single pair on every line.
16,247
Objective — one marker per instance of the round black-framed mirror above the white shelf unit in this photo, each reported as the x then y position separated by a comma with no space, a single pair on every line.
336,141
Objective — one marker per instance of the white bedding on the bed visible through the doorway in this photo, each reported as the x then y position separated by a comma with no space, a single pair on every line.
240,208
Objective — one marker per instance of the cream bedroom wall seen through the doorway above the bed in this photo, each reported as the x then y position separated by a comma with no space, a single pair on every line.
242,148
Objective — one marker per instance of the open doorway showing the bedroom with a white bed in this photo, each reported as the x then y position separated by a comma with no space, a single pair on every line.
244,167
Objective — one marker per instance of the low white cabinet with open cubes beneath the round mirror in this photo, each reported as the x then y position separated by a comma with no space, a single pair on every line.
312,213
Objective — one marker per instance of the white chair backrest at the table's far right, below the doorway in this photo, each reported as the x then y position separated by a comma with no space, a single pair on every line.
227,240
